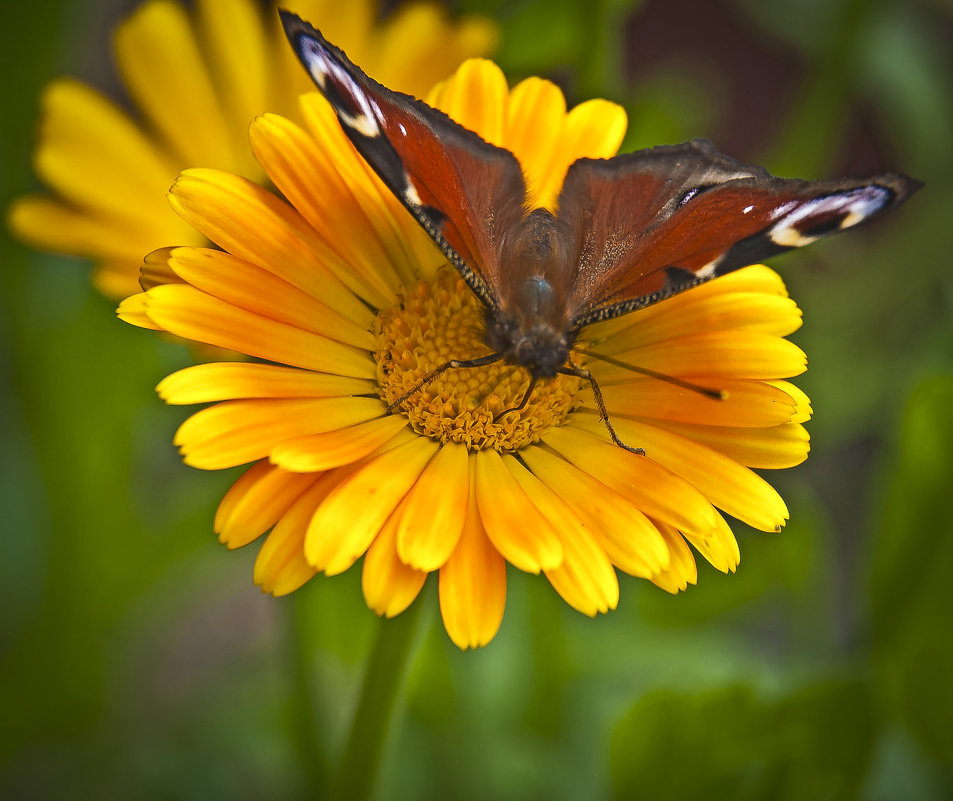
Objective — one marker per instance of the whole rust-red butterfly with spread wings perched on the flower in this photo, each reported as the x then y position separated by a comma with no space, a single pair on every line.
628,232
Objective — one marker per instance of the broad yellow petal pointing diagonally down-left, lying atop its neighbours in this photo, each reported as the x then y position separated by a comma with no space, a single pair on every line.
354,512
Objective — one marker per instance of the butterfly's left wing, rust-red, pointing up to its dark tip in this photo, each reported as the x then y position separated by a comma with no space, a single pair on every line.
465,192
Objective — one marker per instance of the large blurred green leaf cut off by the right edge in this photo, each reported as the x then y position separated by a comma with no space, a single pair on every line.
913,650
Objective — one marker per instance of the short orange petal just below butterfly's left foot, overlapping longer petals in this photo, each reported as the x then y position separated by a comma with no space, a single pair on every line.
337,448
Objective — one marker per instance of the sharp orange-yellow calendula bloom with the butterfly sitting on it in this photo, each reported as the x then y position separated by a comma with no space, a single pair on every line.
349,304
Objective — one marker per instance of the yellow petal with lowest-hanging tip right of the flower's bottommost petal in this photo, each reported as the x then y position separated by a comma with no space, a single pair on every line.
585,579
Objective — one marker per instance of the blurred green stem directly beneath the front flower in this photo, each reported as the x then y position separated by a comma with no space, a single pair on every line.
382,681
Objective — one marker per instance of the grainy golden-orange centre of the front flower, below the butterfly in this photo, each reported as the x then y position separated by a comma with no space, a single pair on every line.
440,320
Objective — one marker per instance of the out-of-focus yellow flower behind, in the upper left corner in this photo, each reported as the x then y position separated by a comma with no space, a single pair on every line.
197,79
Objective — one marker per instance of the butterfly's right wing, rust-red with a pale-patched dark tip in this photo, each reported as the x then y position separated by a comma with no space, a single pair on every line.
656,222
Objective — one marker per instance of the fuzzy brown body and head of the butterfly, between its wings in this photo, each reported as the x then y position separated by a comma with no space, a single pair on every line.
530,327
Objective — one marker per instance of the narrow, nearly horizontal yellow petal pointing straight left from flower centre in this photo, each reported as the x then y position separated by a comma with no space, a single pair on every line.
203,383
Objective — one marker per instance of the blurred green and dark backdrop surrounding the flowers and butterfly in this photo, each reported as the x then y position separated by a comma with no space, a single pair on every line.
137,660
